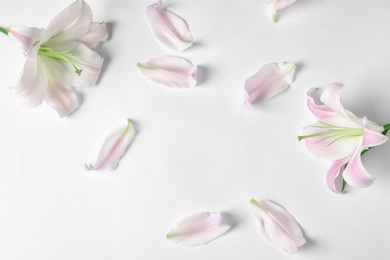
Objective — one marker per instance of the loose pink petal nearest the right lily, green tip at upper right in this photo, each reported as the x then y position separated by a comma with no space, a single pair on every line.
269,81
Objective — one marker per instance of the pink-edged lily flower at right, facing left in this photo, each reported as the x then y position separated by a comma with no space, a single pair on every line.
340,137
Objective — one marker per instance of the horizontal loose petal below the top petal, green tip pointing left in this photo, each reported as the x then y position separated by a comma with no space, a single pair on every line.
170,71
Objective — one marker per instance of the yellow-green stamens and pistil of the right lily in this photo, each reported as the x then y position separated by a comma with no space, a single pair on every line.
332,131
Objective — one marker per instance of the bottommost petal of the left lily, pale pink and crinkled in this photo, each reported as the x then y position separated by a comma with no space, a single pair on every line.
60,97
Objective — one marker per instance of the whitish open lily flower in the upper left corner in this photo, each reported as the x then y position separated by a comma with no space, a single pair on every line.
59,58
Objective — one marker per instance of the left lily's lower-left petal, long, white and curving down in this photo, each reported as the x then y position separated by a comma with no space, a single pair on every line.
29,90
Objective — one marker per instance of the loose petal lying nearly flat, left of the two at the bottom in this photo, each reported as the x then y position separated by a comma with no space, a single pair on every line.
198,229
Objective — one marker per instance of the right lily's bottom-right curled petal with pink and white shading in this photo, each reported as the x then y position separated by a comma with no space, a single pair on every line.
355,174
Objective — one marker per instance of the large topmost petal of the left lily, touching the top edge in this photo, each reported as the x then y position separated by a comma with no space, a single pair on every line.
71,24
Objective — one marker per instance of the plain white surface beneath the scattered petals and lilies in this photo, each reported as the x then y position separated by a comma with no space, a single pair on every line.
197,149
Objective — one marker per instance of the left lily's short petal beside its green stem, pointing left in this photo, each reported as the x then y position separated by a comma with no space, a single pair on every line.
24,37
